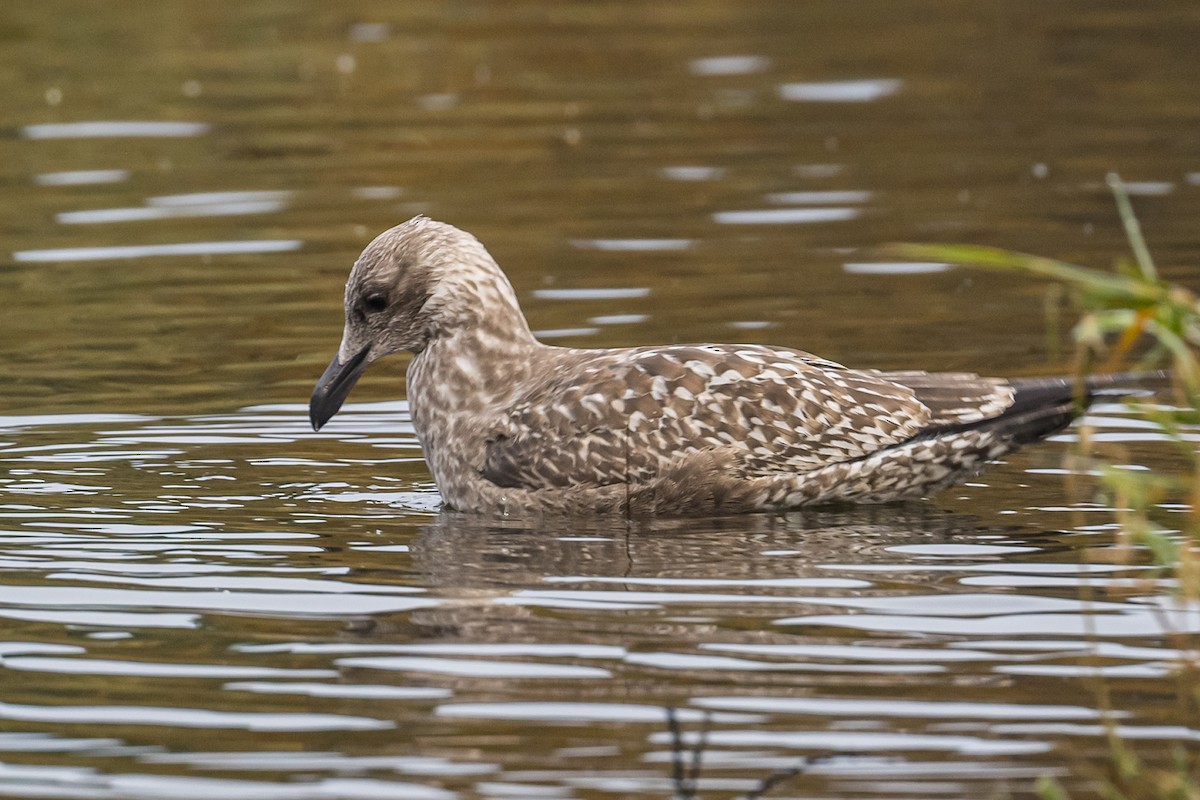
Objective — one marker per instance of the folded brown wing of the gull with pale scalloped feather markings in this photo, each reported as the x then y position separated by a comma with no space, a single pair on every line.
620,417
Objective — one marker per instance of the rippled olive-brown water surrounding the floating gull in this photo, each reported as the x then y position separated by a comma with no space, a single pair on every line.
202,598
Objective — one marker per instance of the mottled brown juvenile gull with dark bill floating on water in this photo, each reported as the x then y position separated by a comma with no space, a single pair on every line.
511,425
